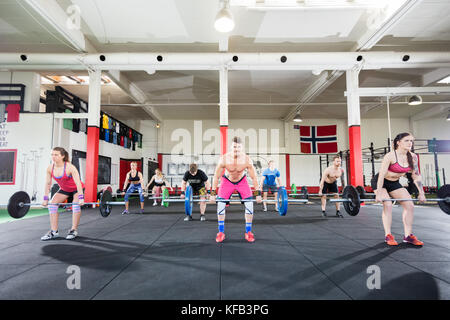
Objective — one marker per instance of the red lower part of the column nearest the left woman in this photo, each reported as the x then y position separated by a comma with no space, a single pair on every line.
92,164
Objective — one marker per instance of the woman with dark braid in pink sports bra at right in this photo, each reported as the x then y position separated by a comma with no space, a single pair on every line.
386,185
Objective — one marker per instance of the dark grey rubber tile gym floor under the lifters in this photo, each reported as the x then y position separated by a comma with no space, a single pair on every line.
157,255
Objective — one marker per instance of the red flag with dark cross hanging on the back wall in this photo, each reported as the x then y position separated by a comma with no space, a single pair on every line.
318,139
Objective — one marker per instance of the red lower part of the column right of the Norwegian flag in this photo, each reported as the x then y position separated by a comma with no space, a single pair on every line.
356,165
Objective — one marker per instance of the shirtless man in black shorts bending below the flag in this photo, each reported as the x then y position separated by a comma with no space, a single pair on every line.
328,184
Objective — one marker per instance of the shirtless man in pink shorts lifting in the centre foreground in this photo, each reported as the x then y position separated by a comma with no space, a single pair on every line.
235,162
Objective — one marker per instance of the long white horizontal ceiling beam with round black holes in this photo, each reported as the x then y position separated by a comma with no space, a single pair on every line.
214,61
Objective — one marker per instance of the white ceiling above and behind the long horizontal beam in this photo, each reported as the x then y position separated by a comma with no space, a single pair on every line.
187,26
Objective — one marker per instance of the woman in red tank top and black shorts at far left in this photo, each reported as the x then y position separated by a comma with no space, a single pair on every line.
68,179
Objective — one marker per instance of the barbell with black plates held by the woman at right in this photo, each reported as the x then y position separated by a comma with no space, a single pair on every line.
352,201
